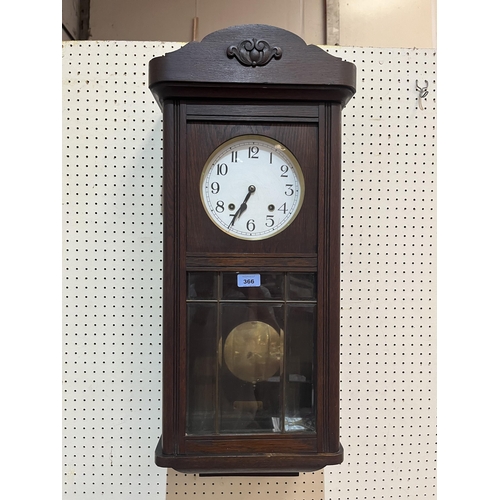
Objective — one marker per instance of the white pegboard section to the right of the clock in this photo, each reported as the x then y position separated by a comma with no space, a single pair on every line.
388,286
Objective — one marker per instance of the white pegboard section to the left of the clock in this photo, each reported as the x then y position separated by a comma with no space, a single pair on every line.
112,269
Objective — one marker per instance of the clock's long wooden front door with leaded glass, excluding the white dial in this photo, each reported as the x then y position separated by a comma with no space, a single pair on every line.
249,318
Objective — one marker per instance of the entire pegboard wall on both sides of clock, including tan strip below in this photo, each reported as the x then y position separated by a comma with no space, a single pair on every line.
112,136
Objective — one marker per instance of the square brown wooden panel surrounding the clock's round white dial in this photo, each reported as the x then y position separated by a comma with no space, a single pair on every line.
203,235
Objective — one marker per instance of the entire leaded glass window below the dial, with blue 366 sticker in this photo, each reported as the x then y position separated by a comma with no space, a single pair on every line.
250,353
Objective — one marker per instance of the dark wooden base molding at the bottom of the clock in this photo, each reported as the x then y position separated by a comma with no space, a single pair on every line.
265,464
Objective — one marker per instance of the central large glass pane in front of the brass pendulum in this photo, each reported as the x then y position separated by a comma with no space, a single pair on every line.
250,359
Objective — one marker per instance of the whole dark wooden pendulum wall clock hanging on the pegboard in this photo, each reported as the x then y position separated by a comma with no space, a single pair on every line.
251,280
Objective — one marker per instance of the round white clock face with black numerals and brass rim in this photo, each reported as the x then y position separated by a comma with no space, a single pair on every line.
252,187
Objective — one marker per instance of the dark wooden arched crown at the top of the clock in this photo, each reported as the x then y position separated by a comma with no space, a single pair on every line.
303,72
